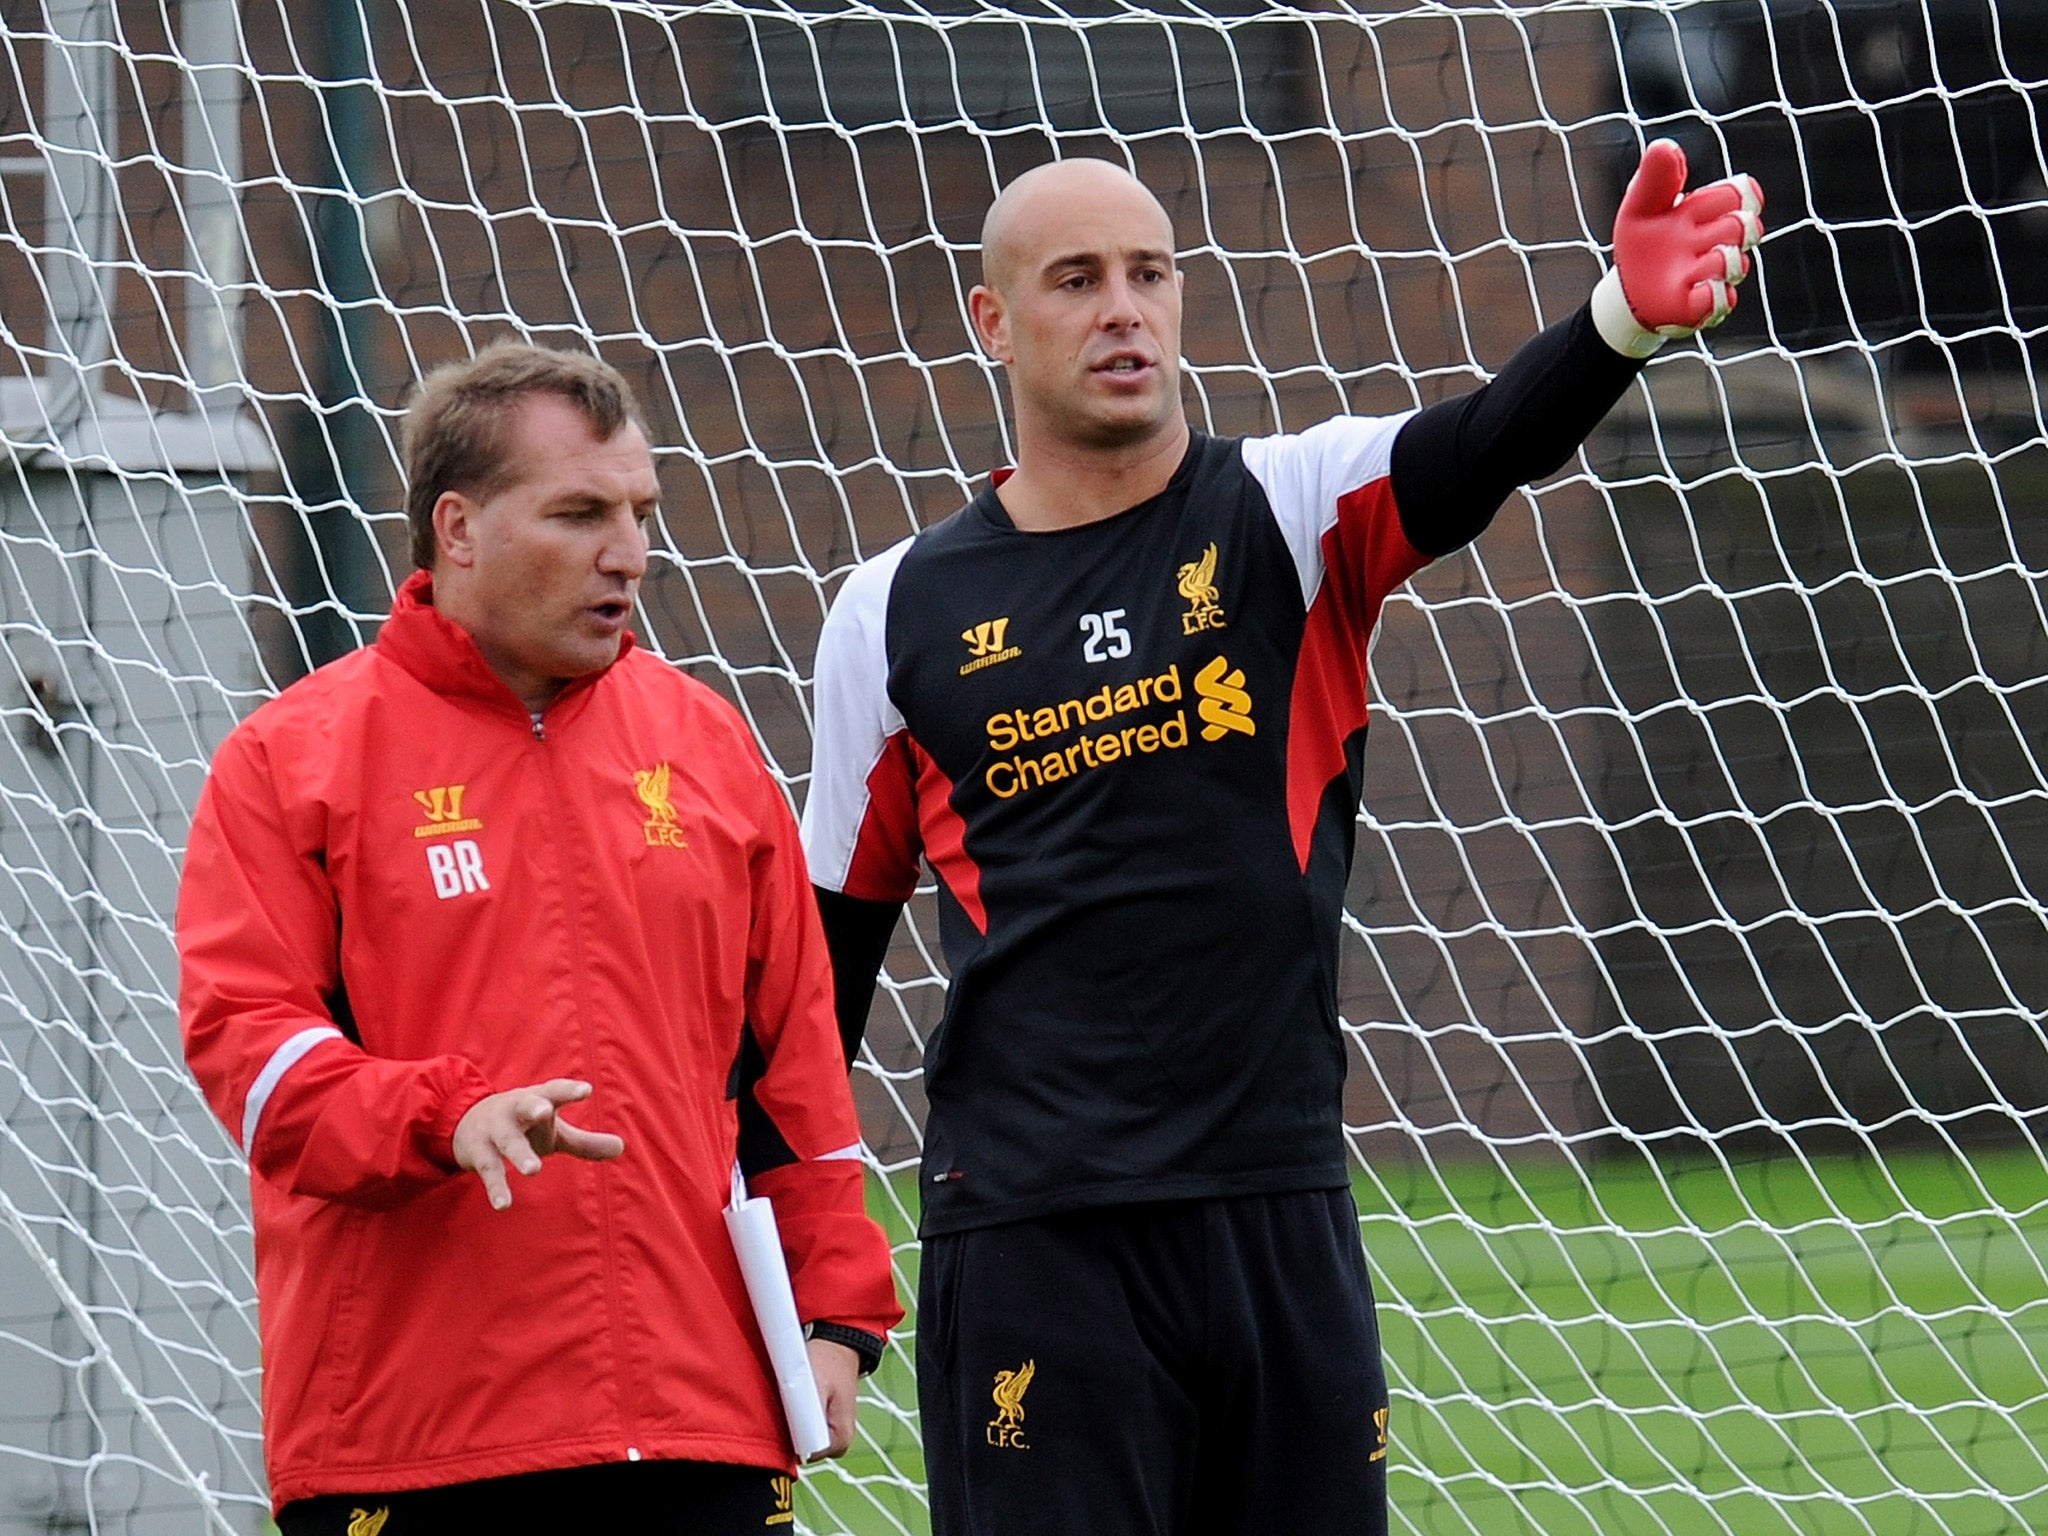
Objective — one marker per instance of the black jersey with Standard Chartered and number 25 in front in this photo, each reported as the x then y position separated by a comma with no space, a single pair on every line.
1132,755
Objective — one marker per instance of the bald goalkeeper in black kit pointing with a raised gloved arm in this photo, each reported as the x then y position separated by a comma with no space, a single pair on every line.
1119,706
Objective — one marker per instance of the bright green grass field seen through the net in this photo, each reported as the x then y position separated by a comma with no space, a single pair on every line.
1785,1349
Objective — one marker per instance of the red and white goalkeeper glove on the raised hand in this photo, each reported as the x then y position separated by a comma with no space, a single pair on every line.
1676,255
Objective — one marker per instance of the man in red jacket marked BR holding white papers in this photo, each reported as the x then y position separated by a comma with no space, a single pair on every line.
497,865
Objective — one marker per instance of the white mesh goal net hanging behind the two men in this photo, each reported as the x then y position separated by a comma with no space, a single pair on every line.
1697,951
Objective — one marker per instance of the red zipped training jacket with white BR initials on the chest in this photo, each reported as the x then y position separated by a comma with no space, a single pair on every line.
402,896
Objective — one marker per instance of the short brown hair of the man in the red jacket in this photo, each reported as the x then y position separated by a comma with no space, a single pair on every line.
456,427
